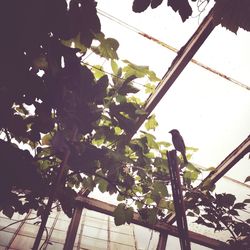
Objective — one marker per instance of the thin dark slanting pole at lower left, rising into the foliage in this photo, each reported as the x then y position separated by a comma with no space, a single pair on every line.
52,195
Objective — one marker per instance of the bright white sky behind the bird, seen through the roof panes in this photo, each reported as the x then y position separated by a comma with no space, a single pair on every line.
211,113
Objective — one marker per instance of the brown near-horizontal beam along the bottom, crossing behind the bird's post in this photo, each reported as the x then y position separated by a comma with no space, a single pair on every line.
108,209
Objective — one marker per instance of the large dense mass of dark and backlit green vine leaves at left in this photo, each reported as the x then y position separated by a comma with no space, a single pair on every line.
67,113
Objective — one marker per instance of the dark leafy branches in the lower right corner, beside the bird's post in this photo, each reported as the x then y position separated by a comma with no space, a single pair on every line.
222,213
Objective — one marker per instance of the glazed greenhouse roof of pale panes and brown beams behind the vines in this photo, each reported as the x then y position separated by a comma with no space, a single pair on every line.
204,92
